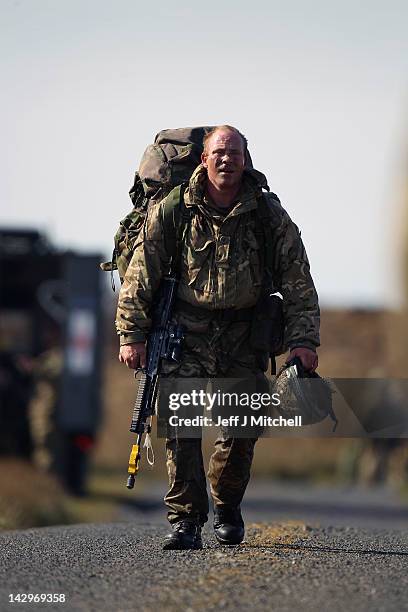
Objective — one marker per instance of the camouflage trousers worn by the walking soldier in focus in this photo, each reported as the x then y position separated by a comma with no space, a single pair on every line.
211,349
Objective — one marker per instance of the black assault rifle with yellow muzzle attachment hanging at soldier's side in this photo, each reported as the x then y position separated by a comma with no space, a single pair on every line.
164,342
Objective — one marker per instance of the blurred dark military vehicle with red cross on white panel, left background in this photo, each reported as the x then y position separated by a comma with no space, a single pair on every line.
50,334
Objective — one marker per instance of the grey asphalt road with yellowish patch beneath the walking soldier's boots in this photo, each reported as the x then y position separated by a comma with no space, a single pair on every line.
282,565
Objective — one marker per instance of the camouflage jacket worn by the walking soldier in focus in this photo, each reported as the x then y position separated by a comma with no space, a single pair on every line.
221,265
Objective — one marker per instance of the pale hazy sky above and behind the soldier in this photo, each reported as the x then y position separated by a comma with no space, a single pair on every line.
319,89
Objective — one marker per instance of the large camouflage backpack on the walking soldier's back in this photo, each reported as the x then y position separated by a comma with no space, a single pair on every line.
167,163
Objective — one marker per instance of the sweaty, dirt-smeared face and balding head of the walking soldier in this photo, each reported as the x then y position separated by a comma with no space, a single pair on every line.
224,159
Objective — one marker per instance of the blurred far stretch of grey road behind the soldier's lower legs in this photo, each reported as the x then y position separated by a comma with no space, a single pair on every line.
267,501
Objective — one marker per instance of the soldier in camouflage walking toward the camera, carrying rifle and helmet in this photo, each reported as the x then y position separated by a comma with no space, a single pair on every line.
221,277
